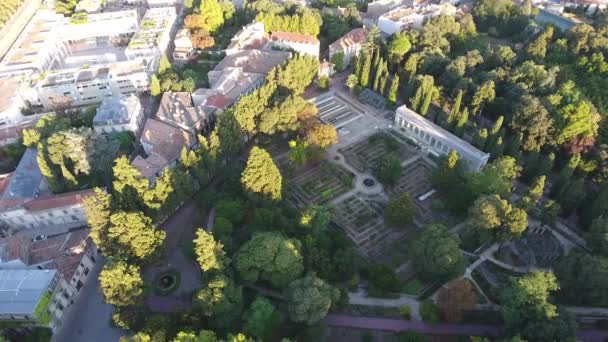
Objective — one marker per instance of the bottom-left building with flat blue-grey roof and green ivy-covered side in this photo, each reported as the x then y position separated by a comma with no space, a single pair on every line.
26,293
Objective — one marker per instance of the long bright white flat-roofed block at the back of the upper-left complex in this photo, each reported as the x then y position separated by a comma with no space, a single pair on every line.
106,24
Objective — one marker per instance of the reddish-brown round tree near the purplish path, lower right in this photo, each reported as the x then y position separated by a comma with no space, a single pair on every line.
456,297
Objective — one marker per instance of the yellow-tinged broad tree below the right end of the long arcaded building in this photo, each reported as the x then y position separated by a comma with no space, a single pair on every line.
492,214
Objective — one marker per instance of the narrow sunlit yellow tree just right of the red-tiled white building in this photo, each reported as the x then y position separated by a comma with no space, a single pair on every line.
97,208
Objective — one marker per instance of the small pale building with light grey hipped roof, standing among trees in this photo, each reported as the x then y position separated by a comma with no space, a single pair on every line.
119,114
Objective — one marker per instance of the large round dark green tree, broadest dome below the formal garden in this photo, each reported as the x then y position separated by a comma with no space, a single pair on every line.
271,257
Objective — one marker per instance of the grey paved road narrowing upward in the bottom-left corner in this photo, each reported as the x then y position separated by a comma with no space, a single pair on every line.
88,320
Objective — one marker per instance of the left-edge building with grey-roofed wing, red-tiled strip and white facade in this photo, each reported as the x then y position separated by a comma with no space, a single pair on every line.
26,204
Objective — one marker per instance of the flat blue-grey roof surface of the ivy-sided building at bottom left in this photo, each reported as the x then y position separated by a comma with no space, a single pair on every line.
21,290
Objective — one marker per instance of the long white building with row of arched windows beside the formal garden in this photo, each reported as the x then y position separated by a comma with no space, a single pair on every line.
436,139
